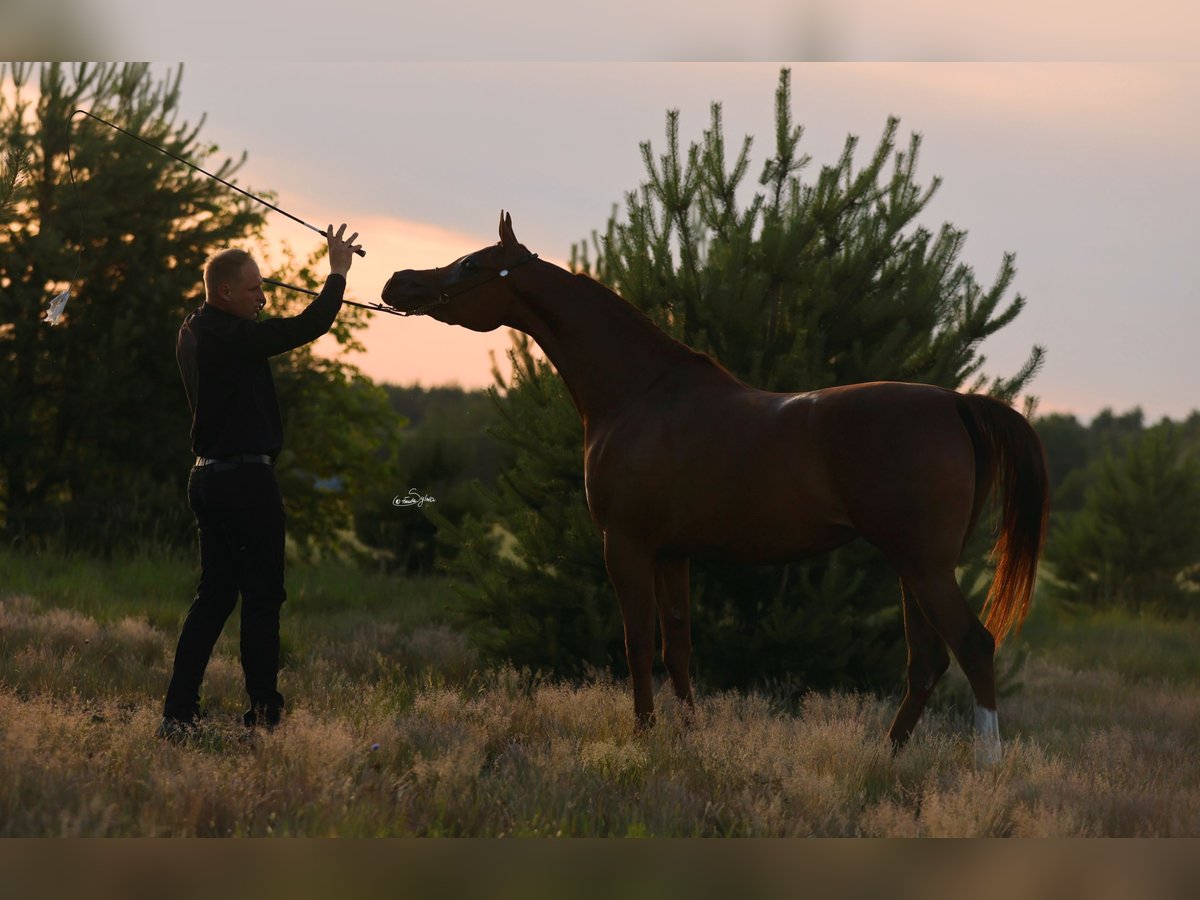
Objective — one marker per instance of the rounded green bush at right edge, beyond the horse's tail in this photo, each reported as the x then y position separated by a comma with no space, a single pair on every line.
1136,543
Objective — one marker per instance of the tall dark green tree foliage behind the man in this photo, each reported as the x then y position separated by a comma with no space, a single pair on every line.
94,422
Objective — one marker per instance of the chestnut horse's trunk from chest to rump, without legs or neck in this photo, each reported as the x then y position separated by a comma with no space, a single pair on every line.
734,472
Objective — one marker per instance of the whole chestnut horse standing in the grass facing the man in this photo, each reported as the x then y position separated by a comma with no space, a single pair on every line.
682,459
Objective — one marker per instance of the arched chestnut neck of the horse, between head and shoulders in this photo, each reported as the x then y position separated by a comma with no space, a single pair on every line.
605,351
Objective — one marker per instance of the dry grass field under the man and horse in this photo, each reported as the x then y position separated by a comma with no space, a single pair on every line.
394,730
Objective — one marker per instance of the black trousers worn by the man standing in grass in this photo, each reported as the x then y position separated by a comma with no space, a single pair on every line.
239,514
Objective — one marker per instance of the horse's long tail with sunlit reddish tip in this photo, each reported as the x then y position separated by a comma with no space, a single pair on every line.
1010,452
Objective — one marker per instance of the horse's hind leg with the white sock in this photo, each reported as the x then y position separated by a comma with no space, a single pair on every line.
973,645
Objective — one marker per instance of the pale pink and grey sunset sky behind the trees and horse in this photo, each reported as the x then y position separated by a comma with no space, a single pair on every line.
1087,172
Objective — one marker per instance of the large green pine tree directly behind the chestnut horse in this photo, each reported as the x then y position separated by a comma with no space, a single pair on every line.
808,285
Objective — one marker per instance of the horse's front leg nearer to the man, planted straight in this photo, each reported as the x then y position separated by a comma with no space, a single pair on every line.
632,572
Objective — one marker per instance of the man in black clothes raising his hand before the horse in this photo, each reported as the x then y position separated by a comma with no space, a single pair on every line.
237,435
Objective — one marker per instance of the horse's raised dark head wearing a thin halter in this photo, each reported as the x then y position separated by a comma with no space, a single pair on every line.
471,292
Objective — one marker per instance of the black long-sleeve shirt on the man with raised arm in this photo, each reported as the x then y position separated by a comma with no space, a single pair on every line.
224,361
